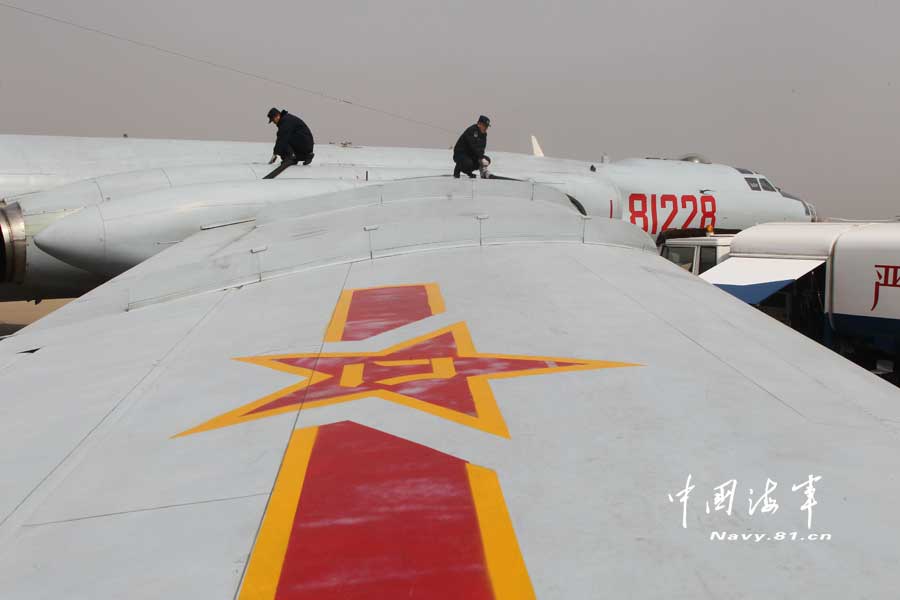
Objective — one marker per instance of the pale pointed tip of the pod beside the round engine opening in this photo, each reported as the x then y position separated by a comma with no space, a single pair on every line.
78,239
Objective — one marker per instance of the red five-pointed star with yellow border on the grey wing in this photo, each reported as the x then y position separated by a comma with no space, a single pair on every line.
440,373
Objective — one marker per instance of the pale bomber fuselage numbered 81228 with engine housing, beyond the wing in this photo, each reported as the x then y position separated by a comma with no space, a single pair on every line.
136,197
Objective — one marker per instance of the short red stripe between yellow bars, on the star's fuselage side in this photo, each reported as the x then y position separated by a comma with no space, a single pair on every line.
378,310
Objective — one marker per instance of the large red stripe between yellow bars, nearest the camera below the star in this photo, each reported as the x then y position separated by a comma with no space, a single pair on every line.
382,517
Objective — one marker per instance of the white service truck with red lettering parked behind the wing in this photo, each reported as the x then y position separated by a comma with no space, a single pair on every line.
836,282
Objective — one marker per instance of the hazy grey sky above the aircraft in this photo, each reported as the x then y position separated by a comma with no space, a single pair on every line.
806,92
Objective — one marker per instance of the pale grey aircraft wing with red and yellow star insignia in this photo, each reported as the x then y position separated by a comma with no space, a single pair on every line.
436,389
